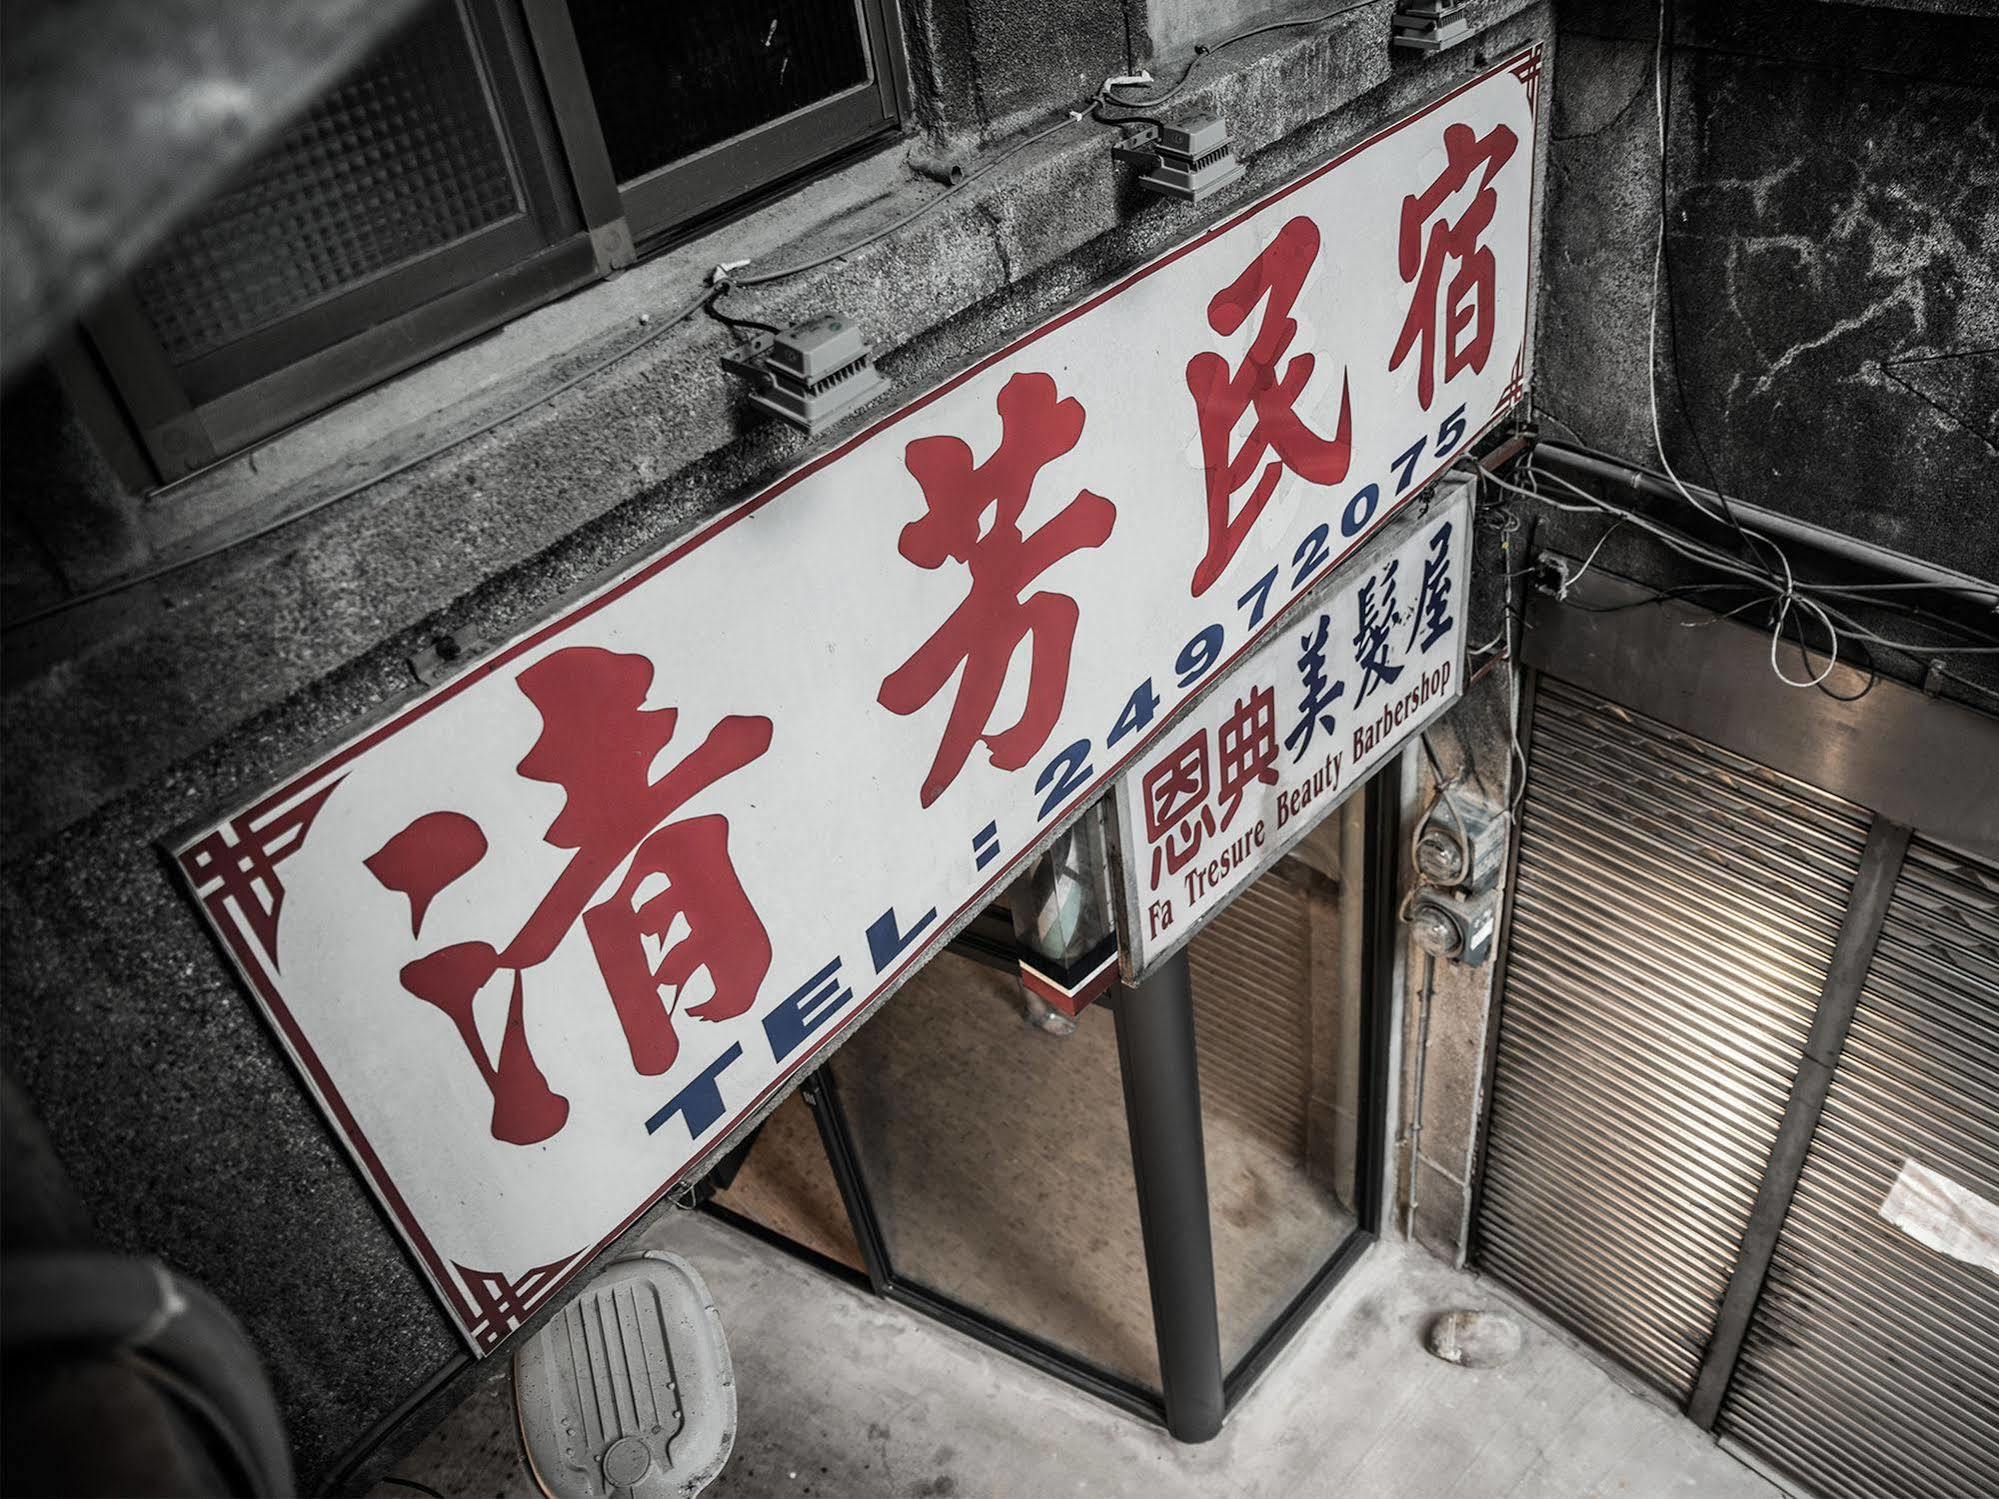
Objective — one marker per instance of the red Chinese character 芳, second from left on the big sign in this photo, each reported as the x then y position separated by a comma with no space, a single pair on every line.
989,629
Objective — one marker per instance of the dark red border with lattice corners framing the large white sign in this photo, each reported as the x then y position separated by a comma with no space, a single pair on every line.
489,1306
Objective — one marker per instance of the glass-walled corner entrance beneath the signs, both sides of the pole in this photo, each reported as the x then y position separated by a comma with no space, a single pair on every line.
971,1156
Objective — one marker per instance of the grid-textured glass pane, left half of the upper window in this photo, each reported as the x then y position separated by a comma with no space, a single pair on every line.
397,163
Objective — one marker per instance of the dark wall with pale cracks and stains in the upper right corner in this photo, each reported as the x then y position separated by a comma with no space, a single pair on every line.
1830,347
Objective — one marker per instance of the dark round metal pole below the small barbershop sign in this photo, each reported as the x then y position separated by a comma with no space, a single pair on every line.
1164,1120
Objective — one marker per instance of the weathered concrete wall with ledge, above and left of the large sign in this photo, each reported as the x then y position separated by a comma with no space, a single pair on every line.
177,1112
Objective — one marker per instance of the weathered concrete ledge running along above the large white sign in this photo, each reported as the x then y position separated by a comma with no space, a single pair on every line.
495,531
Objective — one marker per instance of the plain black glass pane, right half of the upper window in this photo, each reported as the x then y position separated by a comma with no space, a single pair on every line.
675,79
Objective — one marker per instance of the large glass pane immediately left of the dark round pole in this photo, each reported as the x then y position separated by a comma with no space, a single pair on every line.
999,1162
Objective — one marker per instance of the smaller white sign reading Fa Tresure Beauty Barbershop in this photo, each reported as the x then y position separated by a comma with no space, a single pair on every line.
1292,733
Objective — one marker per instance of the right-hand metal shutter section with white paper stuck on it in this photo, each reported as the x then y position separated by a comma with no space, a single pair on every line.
1870,1364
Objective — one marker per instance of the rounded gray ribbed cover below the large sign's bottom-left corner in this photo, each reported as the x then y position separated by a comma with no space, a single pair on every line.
629,1392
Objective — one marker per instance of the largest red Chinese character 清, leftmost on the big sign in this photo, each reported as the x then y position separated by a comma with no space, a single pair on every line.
599,745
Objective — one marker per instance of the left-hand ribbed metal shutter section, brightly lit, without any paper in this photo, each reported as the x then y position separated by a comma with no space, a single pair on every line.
1674,914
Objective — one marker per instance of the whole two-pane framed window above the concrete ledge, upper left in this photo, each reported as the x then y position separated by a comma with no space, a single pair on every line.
491,157
